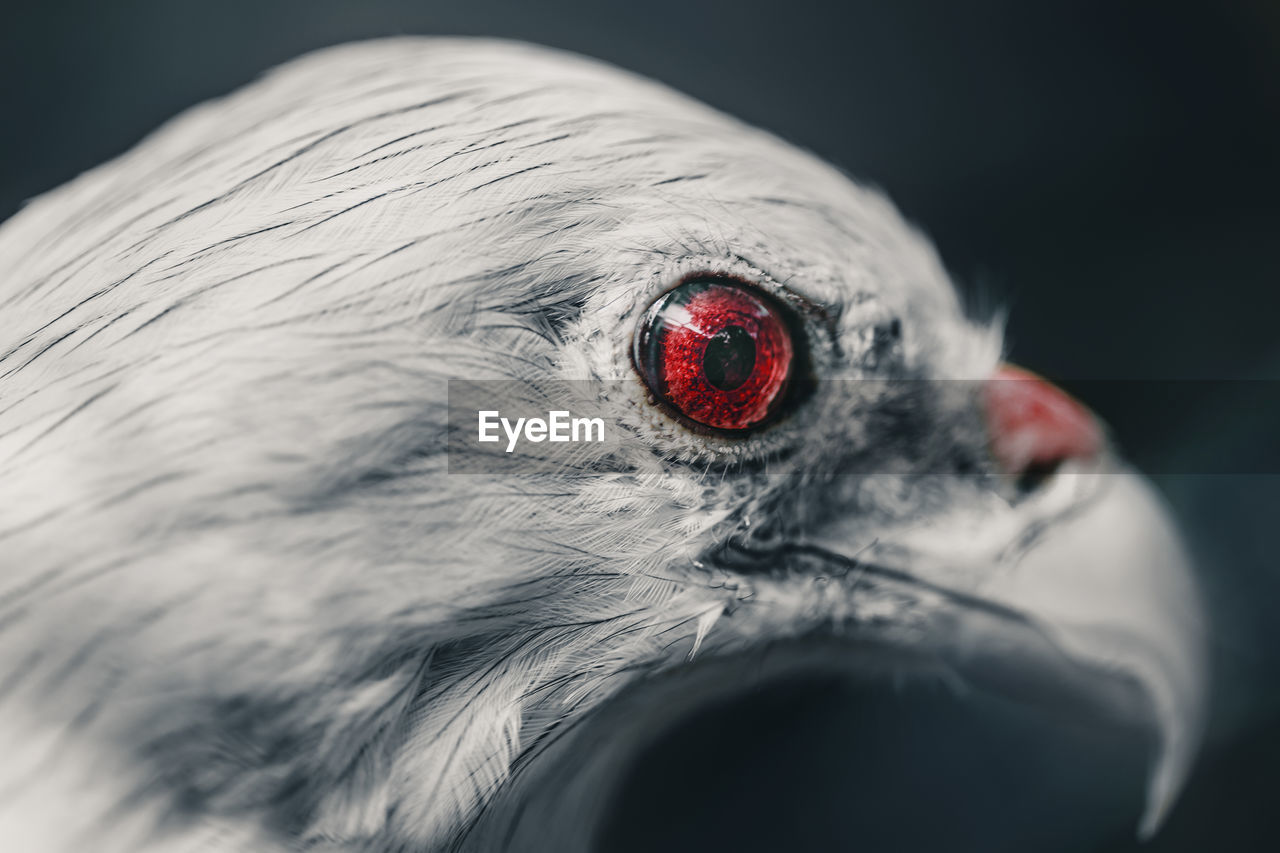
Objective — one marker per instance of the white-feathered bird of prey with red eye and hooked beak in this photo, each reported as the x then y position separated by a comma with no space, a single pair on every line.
262,591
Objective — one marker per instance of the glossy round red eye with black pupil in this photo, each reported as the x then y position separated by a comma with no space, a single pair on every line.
716,352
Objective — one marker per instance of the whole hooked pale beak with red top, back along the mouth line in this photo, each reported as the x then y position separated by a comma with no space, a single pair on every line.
1078,599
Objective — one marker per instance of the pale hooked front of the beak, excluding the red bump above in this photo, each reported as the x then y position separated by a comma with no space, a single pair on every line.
1112,592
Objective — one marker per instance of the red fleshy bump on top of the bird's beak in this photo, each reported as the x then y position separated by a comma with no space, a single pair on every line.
1035,426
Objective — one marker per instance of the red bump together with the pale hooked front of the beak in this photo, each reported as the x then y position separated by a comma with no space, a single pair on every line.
1112,586
